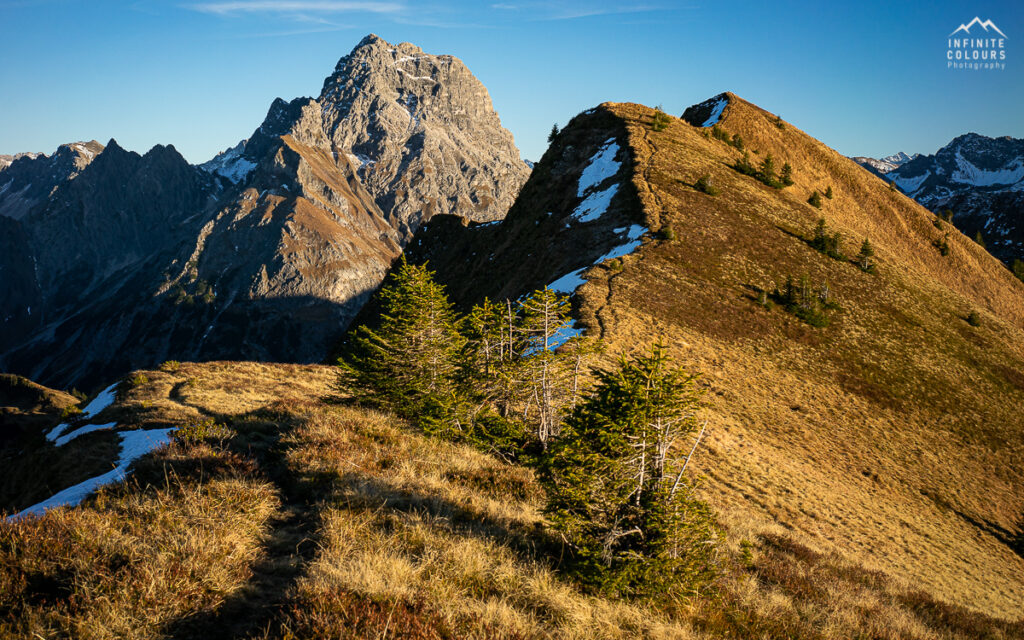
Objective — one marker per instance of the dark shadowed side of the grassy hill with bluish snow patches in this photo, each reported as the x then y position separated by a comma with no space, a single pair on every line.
578,210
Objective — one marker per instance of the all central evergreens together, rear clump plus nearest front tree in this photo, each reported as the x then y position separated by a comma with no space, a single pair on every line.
611,456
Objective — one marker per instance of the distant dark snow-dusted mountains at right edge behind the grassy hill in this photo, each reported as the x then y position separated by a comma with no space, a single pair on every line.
980,180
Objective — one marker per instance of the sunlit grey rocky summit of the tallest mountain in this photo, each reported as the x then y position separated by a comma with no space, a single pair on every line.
423,134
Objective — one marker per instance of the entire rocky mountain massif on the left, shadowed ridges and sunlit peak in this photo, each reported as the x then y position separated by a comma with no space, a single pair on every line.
266,252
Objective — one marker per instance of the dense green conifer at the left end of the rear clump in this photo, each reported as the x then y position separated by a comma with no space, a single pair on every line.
408,364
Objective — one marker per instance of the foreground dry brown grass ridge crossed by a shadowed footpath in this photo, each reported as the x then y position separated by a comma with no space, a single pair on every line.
302,519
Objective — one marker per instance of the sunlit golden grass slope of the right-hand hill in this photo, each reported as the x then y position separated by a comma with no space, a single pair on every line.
894,437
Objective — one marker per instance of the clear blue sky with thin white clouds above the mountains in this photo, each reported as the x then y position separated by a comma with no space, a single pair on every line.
867,78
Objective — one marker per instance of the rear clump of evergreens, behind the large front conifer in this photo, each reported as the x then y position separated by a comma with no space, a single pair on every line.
492,377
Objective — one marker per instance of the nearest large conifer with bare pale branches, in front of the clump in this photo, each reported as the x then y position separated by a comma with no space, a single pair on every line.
617,487
